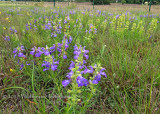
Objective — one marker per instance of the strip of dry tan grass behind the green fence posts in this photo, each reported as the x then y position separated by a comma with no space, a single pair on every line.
114,7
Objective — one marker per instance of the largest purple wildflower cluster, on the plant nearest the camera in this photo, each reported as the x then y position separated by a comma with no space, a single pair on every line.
82,68
